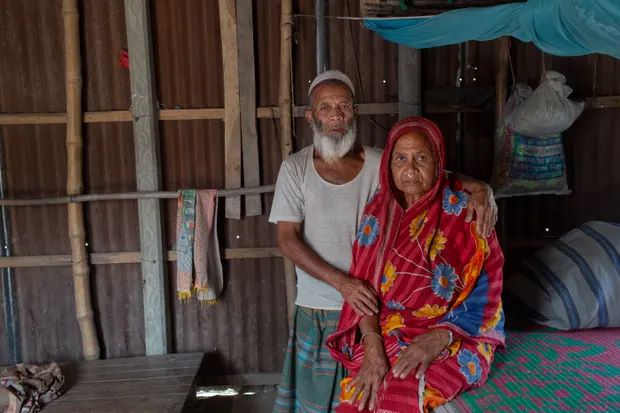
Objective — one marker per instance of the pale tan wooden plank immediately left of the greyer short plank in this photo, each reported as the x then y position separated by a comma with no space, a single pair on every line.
232,120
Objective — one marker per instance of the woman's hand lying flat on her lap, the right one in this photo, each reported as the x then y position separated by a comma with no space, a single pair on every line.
421,352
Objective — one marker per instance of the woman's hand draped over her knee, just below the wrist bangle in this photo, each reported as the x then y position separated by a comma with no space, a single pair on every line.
374,367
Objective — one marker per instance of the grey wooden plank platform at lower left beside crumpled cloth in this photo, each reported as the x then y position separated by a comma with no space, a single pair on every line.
132,385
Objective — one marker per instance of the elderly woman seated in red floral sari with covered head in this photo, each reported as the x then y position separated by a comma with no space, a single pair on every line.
439,281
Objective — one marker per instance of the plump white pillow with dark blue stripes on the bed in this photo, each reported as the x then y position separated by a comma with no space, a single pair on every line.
574,283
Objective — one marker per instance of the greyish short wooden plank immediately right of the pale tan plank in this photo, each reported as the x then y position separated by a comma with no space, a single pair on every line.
247,99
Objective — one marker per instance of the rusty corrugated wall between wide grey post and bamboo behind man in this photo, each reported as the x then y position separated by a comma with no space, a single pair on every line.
247,330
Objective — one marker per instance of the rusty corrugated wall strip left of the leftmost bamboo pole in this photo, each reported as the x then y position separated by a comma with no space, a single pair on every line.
31,68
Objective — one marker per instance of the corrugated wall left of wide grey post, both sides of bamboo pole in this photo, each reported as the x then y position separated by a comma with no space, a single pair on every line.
33,81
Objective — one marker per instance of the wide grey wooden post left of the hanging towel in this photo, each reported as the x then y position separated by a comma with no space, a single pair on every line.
148,177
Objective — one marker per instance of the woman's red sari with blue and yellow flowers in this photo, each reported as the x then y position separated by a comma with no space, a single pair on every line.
431,270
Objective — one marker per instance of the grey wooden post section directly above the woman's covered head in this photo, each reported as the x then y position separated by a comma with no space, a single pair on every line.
409,74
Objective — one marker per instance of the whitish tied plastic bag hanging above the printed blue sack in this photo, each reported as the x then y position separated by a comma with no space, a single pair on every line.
547,110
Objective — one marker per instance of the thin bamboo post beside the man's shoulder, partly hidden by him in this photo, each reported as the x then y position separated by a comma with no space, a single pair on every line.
286,119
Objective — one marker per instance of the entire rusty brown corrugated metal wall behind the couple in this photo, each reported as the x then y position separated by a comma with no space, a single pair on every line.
247,331
